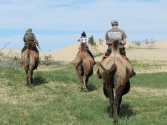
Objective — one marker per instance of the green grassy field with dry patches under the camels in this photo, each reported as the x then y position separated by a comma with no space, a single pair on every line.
55,99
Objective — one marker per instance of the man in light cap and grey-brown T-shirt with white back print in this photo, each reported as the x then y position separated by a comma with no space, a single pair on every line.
116,34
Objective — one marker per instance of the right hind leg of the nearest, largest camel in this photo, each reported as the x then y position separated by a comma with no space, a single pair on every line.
117,101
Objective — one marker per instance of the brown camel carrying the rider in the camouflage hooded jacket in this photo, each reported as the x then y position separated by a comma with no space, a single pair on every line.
30,59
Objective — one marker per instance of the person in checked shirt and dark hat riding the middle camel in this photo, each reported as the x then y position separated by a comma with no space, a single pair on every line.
84,39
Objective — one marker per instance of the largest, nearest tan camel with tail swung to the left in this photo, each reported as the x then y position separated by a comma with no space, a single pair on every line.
115,72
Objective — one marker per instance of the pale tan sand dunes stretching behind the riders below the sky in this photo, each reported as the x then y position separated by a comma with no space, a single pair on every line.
68,53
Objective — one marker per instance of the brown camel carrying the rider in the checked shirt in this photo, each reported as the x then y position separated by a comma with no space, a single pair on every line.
83,63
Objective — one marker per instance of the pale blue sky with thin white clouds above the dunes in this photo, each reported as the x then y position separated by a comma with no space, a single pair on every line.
59,23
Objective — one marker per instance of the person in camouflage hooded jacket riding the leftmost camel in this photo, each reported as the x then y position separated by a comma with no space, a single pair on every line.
30,37
